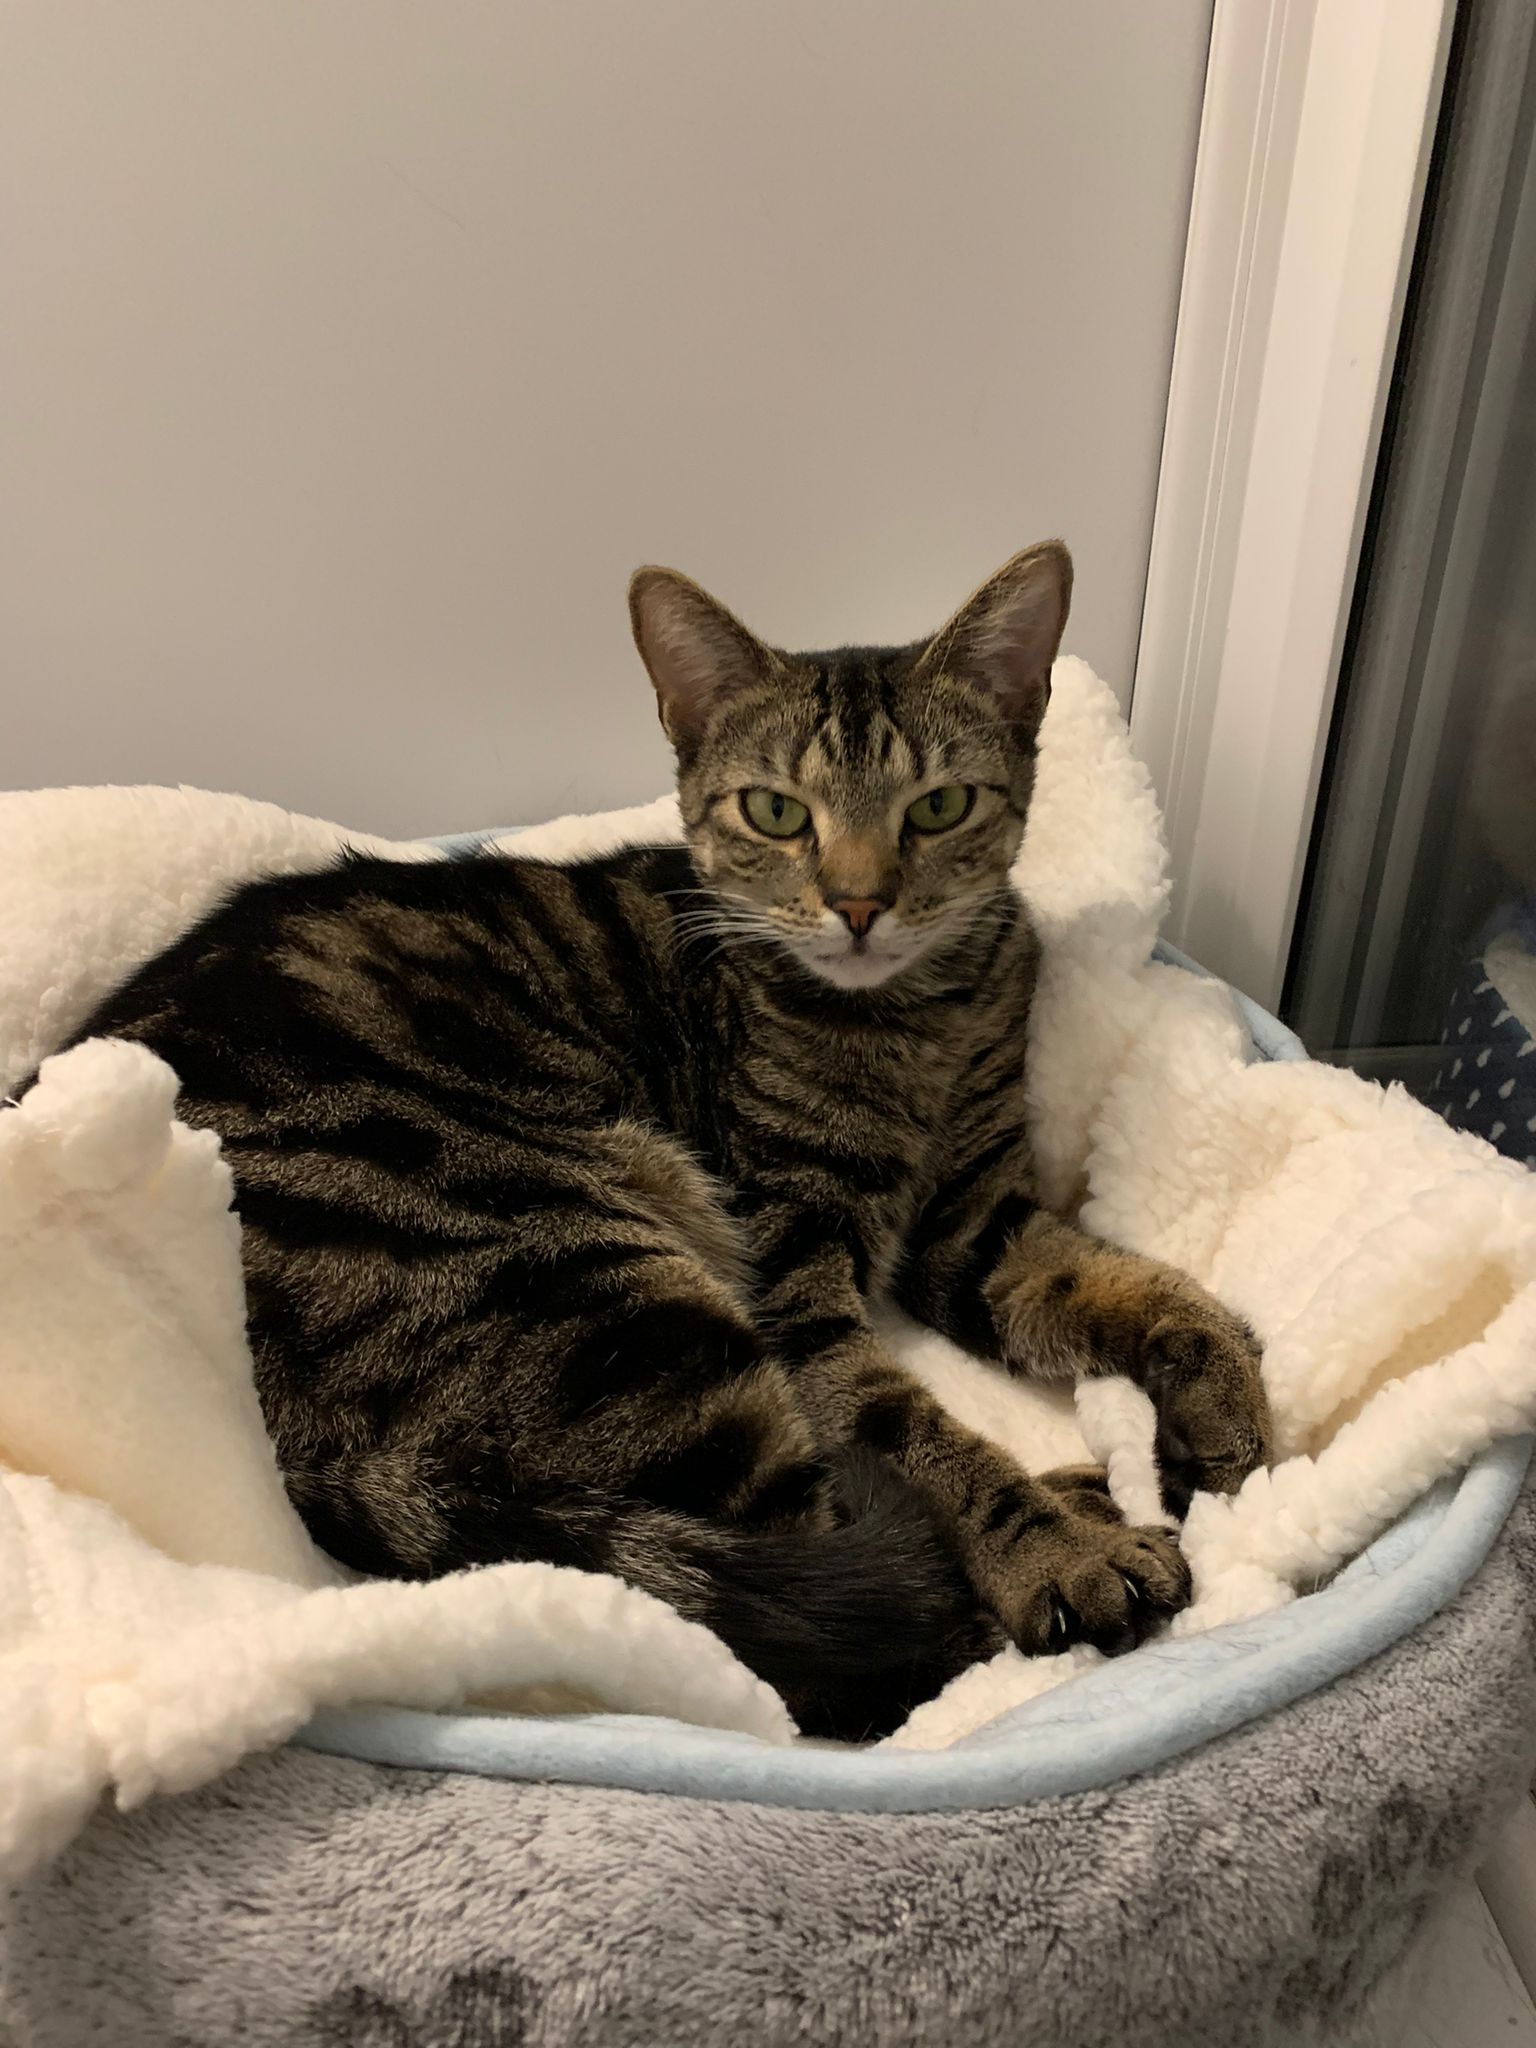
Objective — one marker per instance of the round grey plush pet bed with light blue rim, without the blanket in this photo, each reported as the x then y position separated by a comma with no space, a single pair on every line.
1224,1838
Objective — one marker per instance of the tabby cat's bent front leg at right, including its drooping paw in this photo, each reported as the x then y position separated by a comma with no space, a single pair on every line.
1011,1281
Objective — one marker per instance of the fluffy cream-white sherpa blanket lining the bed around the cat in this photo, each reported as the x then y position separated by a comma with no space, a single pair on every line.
163,1611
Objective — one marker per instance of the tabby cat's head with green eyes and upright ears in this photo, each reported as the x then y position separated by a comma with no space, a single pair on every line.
855,806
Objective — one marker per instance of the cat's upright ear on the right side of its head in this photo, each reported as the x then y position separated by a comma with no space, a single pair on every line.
1009,634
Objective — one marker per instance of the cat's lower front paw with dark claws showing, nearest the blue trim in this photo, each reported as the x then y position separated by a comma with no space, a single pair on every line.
1072,1578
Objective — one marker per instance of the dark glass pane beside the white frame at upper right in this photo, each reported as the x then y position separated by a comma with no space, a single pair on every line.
1416,945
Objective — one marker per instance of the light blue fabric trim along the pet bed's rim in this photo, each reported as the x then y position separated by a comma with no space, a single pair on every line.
1123,1717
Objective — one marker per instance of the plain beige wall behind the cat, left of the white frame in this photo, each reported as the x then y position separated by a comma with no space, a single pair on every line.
353,353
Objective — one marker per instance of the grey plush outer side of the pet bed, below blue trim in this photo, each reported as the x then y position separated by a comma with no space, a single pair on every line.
1265,1891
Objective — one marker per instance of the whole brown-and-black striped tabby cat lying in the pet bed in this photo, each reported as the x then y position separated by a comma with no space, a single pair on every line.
566,1191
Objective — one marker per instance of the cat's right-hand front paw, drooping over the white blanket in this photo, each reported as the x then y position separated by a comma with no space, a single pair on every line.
1201,1367
